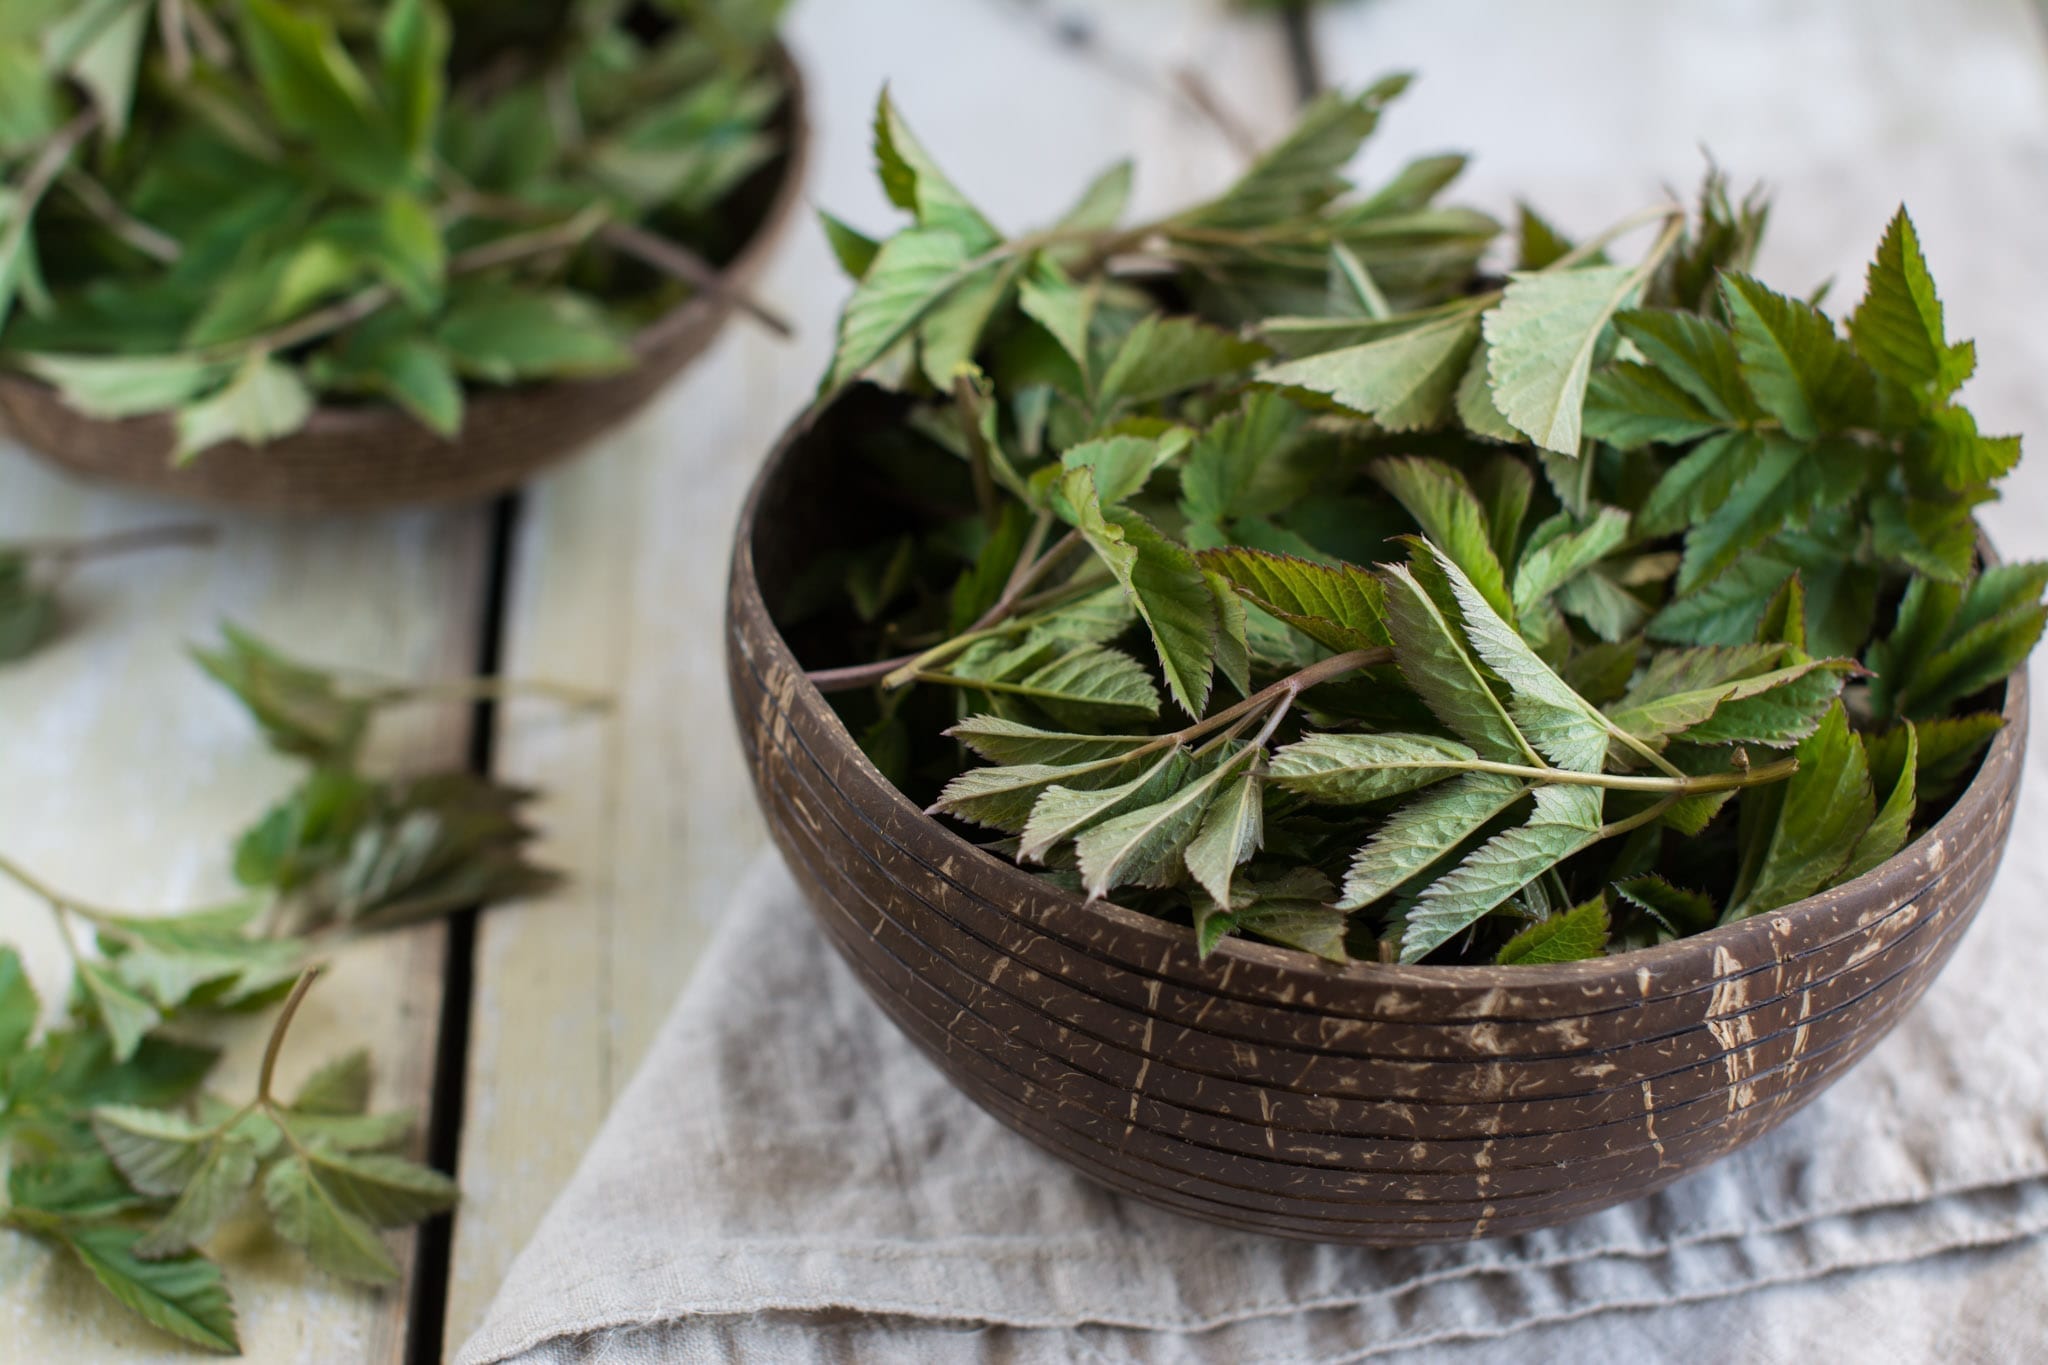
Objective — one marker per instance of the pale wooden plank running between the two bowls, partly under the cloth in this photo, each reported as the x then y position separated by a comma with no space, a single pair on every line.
622,560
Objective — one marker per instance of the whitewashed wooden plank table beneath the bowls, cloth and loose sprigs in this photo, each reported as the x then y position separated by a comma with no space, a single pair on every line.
126,773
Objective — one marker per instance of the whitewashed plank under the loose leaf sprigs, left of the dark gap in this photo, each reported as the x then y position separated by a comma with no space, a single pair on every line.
128,773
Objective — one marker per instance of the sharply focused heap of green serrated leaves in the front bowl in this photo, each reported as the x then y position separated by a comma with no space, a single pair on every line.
1342,570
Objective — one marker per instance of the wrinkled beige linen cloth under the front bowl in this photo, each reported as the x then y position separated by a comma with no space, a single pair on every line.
787,1180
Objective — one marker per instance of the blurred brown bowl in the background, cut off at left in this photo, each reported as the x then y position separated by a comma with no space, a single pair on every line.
357,457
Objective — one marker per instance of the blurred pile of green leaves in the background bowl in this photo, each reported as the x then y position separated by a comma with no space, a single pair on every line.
237,210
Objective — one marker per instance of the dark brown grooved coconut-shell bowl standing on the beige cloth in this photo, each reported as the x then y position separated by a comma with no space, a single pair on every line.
1269,1090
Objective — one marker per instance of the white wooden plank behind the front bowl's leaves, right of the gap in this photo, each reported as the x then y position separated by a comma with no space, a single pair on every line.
1846,107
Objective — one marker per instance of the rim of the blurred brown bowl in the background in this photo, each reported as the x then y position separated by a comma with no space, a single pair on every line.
701,308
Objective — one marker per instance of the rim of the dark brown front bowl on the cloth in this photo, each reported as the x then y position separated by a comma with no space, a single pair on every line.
1732,946
